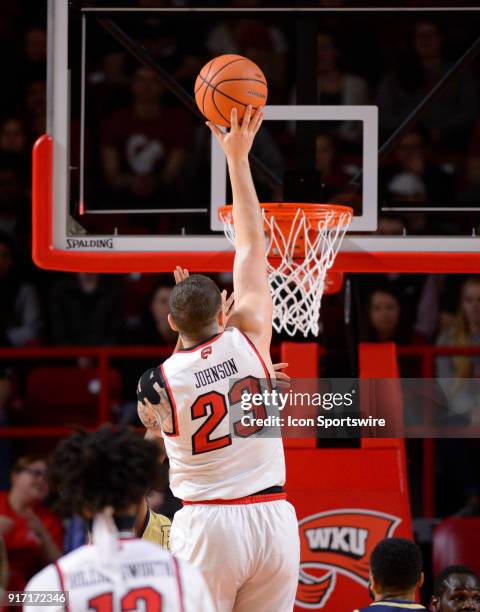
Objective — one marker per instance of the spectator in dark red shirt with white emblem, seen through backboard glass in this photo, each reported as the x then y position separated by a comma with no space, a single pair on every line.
144,147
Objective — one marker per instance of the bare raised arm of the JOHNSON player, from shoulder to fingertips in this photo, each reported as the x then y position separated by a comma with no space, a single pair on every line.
253,302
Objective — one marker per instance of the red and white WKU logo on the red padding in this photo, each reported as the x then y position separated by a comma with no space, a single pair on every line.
337,542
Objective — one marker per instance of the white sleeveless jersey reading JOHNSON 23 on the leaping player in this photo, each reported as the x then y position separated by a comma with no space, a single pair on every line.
194,394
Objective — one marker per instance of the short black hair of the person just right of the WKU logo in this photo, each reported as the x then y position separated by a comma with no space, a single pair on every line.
396,563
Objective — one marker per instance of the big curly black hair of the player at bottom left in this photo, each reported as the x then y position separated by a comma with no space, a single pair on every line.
108,467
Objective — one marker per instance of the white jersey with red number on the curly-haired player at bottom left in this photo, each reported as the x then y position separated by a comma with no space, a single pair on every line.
146,577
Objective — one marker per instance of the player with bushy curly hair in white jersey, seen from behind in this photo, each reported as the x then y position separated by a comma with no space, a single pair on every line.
103,476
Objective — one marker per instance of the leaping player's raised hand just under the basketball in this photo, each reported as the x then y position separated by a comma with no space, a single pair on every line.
238,141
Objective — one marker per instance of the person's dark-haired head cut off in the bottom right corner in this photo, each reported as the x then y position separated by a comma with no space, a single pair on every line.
456,588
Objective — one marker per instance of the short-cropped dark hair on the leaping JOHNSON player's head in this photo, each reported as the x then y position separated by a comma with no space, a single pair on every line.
194,304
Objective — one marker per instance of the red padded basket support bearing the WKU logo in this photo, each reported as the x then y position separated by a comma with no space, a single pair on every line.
347,500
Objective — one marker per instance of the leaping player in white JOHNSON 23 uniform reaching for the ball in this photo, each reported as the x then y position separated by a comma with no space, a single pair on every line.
236,525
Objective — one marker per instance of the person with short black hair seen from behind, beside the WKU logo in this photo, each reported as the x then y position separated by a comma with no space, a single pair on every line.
395,575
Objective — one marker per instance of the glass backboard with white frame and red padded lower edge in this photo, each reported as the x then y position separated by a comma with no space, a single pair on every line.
99,204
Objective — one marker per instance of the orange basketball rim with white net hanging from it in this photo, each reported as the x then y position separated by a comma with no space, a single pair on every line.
302,243
